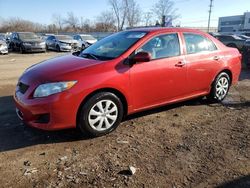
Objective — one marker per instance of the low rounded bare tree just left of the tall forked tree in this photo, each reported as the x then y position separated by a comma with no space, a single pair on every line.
105,22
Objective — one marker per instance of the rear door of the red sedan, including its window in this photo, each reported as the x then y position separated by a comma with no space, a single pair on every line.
202,60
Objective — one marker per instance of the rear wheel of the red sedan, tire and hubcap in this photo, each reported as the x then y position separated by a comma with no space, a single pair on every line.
220,88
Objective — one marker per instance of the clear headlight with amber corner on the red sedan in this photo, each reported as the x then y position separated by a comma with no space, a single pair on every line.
45,90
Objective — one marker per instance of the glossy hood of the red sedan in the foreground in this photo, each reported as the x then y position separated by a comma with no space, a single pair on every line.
56,69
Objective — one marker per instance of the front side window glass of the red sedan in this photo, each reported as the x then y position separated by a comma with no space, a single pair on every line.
162,46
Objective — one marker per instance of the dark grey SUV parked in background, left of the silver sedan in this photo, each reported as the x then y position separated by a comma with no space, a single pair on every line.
26,42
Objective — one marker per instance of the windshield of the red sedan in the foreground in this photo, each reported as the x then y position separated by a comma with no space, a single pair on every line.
113,46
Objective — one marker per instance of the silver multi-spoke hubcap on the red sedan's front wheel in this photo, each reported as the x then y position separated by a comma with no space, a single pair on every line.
103,115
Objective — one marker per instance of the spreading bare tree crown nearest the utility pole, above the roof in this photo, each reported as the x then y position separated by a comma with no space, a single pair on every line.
165,8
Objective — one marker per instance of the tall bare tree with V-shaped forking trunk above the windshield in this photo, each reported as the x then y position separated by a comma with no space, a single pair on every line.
119,8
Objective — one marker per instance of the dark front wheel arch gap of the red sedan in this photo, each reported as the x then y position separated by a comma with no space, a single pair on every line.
111,90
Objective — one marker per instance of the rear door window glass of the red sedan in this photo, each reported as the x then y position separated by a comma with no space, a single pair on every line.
197,43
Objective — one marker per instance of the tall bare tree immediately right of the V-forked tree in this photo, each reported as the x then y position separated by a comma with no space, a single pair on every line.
133,13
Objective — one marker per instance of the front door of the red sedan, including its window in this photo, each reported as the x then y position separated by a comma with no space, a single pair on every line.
164,77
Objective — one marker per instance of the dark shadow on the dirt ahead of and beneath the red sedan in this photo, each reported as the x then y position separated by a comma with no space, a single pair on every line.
15,135
